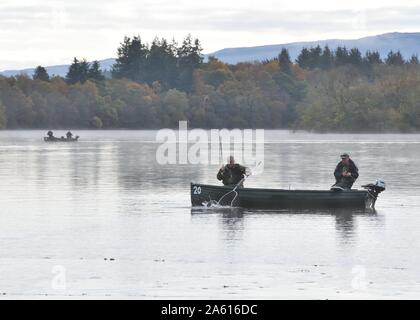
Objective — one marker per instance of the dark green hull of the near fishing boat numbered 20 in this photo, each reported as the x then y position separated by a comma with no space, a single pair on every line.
202,195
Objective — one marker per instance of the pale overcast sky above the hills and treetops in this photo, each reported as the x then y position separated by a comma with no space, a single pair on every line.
49,32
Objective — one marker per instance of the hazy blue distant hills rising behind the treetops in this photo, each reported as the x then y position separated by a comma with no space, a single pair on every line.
407,43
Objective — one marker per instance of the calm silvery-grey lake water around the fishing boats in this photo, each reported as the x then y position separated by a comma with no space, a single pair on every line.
101,218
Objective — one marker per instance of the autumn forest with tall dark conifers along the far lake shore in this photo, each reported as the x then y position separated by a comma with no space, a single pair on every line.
156,85
